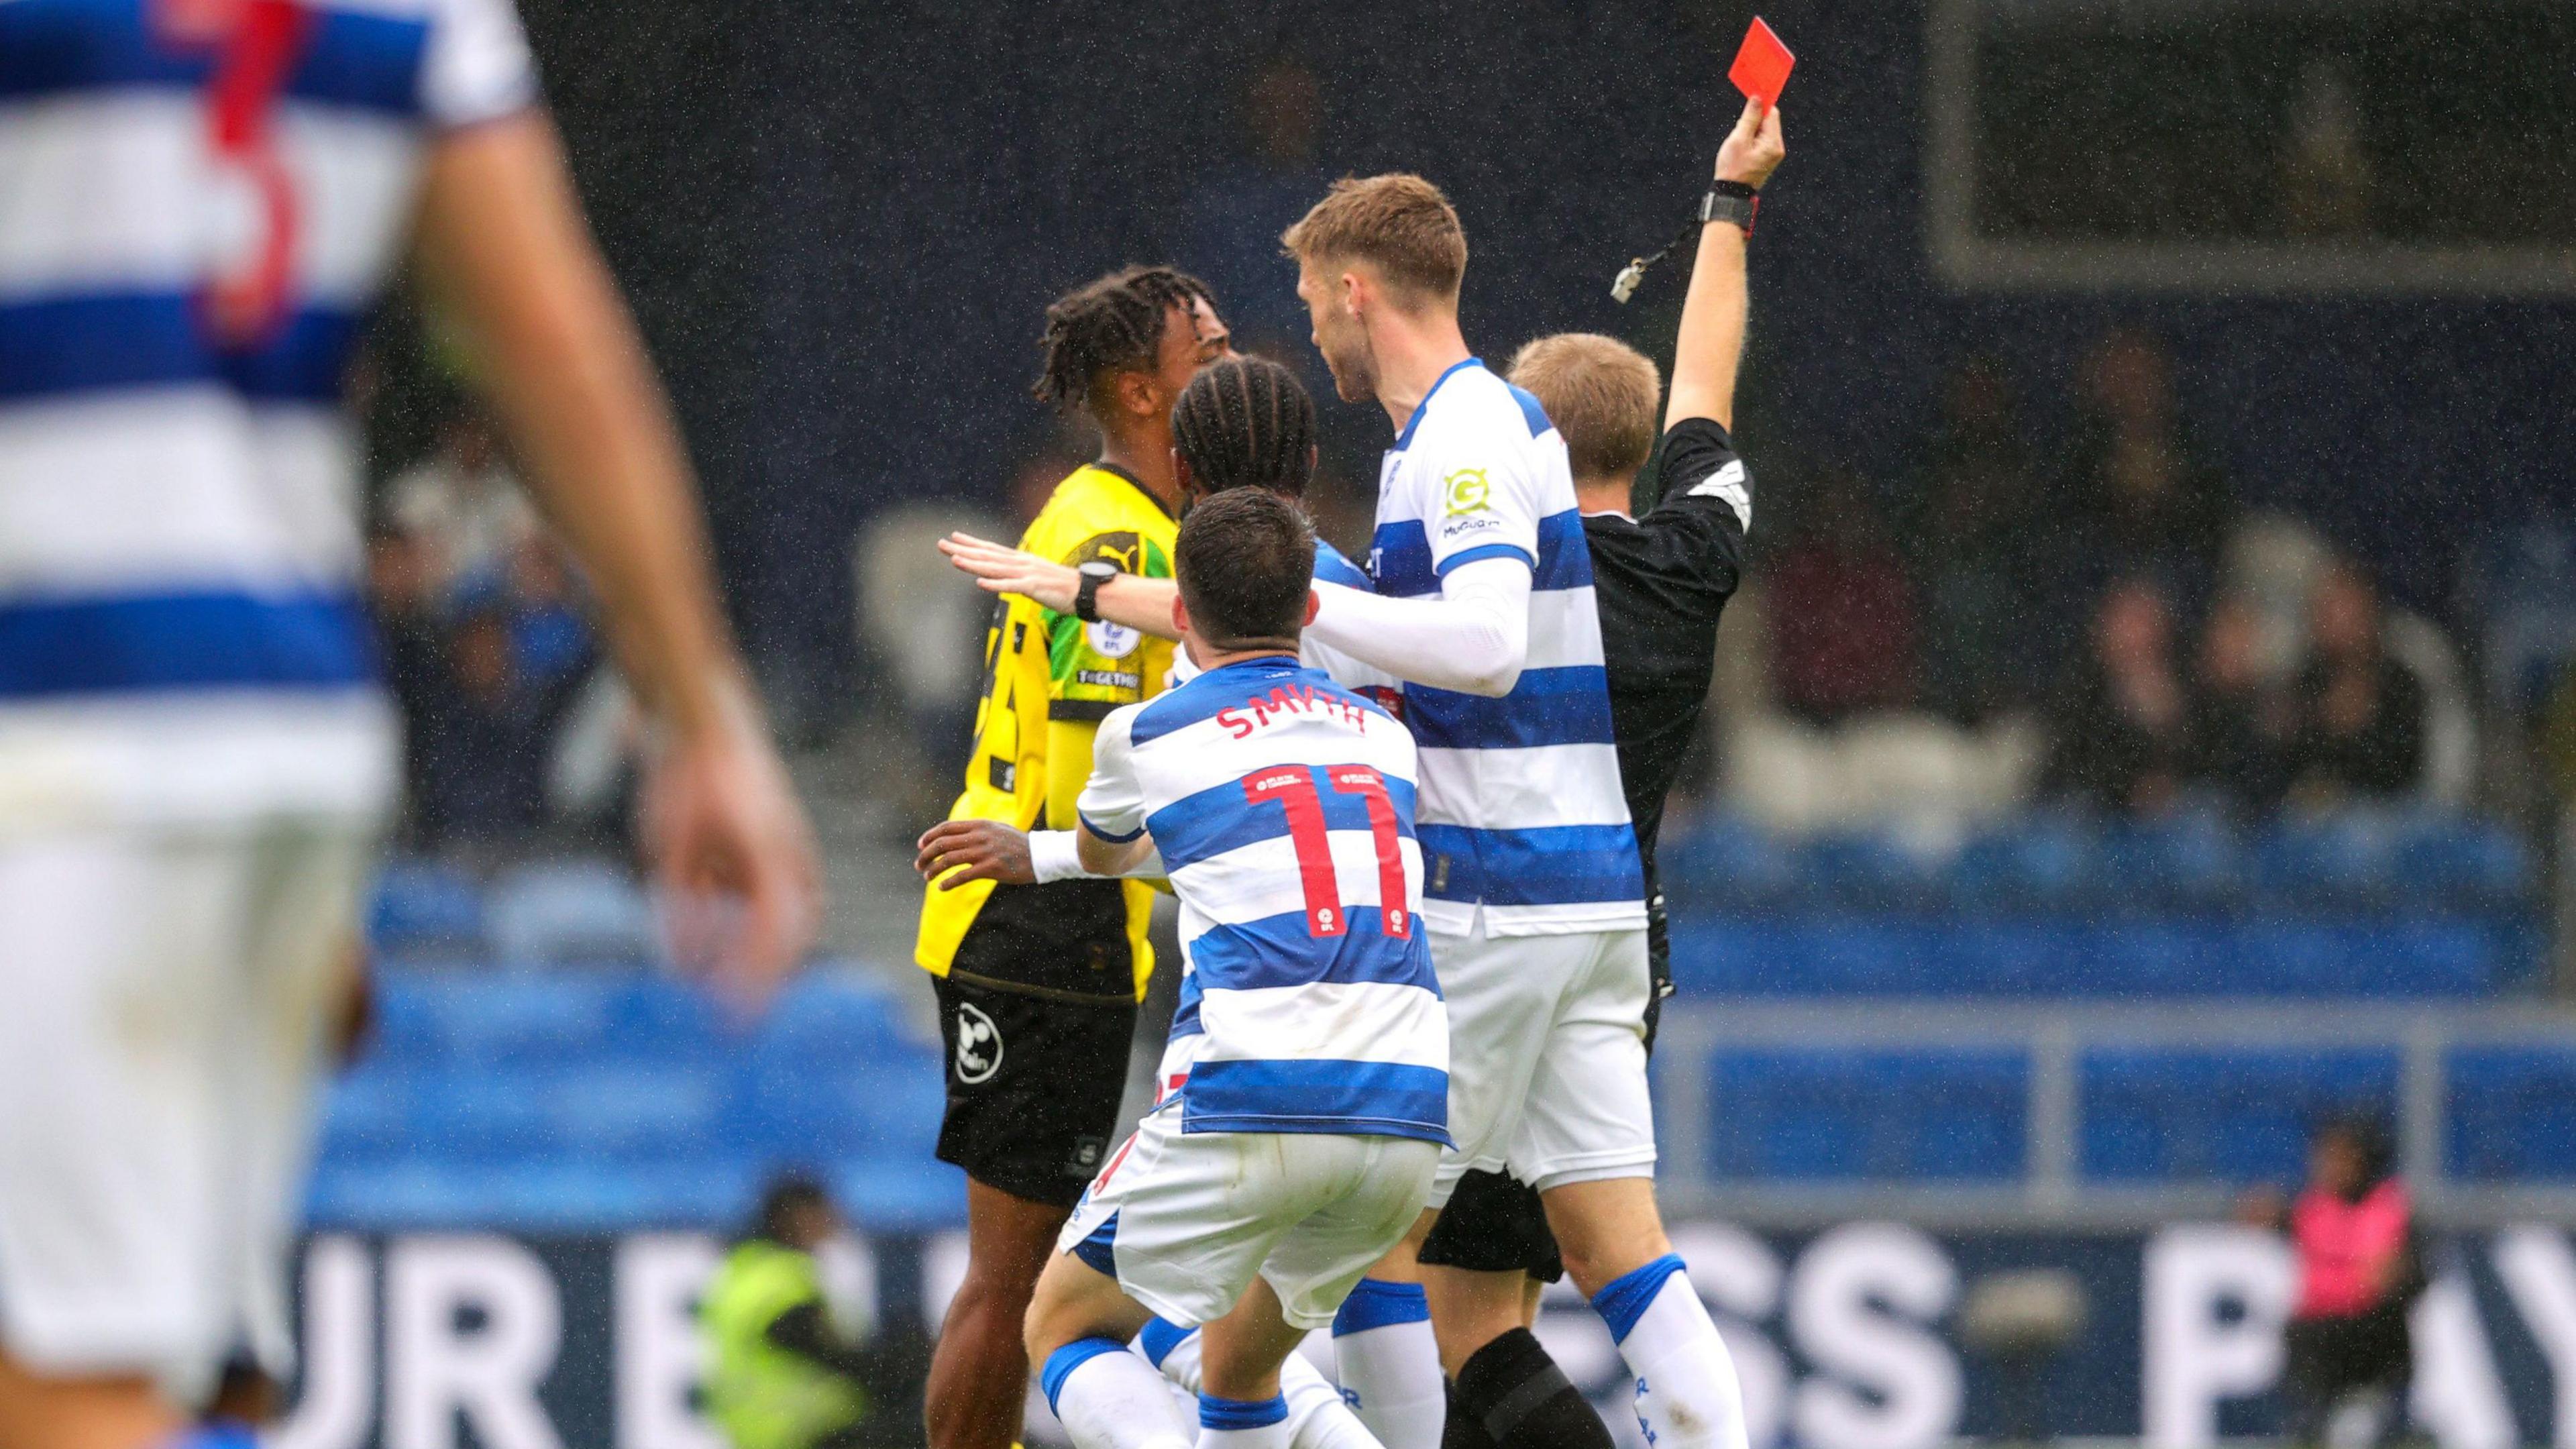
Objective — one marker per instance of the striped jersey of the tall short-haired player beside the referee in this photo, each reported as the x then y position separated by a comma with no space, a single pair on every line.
1521,798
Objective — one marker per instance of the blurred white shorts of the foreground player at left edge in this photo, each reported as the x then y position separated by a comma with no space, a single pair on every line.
164,1002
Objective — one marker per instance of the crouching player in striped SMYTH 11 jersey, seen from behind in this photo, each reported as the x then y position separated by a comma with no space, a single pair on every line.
1307,1076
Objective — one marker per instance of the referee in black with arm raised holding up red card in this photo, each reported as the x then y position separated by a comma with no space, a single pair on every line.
1660,584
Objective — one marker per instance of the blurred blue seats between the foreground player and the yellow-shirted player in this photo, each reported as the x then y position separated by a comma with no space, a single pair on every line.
601,1102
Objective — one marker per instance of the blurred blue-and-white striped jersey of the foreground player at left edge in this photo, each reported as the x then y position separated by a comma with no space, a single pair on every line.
200,202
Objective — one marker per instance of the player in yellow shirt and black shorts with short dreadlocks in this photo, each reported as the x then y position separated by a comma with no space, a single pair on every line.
1039,984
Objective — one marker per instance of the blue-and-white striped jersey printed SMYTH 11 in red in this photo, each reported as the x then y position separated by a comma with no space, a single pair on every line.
1284,813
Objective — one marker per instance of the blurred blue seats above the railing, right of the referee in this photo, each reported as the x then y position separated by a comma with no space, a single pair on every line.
2067,906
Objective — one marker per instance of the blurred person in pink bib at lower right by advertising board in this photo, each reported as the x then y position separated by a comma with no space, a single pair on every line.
2361,1267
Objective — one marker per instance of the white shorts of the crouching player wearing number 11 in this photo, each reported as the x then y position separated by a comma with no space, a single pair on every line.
1186,1221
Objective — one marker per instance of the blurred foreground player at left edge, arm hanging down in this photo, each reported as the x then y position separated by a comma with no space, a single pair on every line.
194,759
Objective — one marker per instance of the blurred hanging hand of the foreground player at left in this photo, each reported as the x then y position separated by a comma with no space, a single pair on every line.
735,860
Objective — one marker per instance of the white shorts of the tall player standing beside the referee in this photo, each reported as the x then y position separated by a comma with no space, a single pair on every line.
1547,1056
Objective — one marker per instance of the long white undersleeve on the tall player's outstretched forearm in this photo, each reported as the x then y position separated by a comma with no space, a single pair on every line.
1472,638
